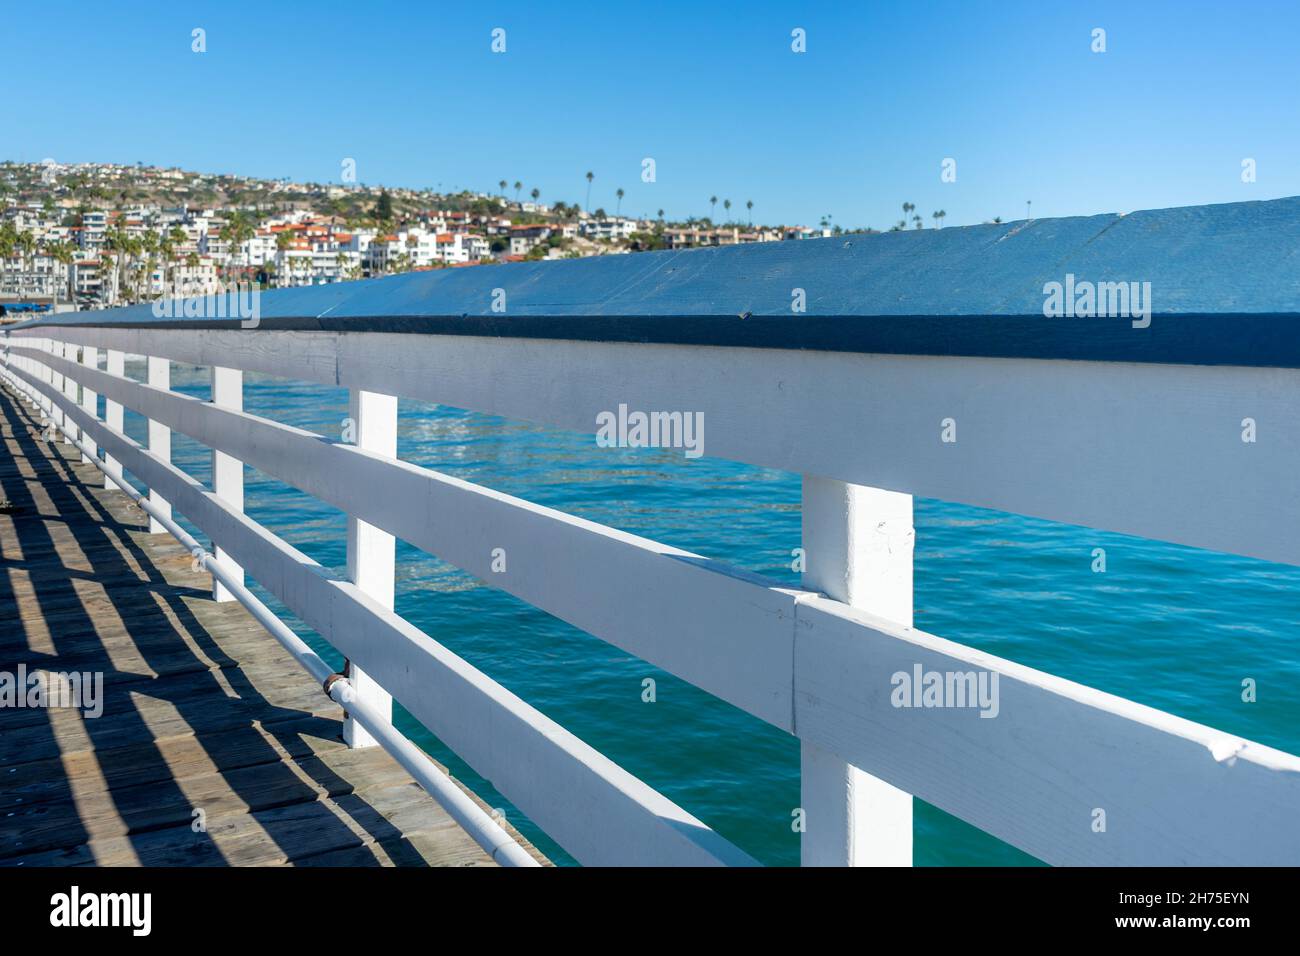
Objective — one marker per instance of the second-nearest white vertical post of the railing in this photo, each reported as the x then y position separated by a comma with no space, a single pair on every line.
370,551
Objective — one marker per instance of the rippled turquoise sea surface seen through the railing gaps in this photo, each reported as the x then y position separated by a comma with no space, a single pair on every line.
1172,628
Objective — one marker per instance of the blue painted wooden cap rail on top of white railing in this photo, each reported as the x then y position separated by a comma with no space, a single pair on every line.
1225,289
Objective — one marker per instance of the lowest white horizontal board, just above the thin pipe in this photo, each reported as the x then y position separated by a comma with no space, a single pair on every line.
599,812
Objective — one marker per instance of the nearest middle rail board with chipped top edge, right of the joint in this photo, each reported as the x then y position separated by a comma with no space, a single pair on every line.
1037,775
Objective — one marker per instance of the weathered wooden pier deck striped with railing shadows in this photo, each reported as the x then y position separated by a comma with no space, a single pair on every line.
205,717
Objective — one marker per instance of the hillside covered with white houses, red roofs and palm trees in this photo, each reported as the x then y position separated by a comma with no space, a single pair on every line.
97,236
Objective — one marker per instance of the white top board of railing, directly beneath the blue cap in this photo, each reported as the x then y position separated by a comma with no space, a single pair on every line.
1143,449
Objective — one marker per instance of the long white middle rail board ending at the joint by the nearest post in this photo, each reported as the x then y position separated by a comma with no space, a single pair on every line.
717,628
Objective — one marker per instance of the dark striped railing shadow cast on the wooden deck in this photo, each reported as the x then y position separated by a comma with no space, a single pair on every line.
144,793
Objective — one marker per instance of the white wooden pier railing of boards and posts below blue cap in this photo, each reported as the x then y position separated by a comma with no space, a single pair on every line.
1086,443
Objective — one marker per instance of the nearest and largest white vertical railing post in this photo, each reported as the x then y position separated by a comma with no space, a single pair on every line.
859,544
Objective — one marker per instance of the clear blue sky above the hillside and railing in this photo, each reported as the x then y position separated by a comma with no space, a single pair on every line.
853,128
